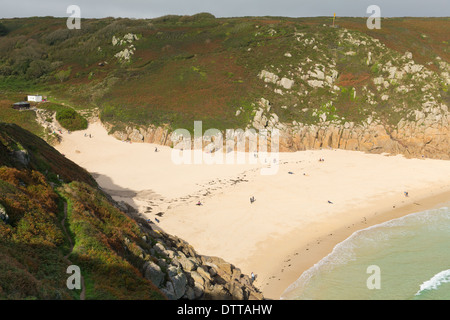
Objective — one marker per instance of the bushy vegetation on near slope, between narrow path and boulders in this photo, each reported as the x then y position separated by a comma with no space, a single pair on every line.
100,230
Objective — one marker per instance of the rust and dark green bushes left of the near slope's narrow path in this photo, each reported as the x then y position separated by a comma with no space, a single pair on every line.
31,263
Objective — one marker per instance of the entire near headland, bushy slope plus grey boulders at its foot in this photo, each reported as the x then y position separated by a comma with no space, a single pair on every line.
52,210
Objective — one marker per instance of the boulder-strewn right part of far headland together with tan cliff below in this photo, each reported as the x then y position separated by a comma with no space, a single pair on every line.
361,96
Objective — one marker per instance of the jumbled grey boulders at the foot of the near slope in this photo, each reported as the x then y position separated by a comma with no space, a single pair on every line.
180,272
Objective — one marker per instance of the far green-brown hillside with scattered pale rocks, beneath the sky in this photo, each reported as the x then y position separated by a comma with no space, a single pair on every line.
176,69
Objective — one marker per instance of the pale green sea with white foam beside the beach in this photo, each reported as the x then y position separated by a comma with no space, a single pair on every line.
406,259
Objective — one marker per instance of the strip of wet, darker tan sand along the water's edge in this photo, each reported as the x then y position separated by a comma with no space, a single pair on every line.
298,259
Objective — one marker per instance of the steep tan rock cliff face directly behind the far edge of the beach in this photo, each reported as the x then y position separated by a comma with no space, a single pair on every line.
426,136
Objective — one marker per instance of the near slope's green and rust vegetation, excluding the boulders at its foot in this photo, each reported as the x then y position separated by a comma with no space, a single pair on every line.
36,184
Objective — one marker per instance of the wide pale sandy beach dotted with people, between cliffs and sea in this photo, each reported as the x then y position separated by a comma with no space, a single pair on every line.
298,216
